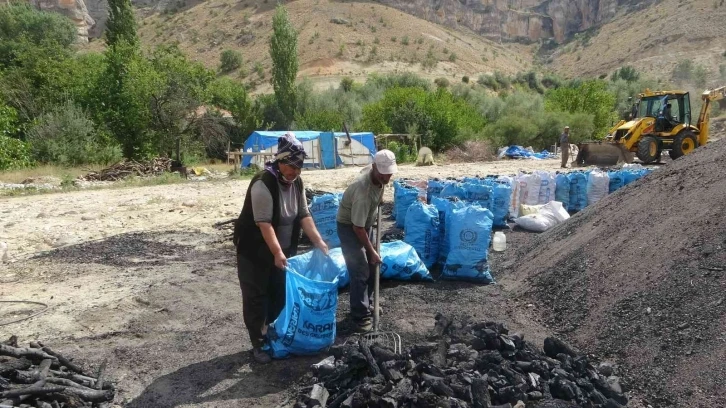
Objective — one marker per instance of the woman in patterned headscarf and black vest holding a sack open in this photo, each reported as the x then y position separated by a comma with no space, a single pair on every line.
266,234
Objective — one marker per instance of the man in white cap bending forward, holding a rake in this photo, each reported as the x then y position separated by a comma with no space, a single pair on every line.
356,215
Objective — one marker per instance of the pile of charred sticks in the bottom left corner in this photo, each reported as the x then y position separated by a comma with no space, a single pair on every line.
37,376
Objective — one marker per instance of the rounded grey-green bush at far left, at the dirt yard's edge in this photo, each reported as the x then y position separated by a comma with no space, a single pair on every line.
66,136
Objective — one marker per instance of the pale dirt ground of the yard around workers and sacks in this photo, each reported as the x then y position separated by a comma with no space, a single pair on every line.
139,276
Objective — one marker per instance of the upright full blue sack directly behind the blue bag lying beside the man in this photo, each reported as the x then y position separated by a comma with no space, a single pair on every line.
422,231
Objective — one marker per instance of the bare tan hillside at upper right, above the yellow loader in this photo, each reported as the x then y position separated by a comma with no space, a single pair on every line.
653,40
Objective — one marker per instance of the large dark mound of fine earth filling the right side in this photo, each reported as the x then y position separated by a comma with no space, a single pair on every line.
640,278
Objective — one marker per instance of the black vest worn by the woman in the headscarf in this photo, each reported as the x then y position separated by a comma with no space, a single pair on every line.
247,235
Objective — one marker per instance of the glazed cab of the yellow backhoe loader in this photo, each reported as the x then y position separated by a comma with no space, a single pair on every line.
654,105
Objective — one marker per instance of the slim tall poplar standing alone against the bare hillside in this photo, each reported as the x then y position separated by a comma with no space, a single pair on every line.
283,50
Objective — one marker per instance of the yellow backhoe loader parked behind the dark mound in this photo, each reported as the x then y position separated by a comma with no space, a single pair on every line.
663,122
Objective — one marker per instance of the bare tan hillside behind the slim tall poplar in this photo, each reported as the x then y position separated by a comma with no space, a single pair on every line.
335,39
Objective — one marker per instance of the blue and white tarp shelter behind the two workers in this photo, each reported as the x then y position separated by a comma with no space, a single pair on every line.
326,150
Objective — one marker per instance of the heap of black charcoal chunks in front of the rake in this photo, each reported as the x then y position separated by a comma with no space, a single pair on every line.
478,365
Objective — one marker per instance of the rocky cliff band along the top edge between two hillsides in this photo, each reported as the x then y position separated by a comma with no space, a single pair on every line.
518,20
